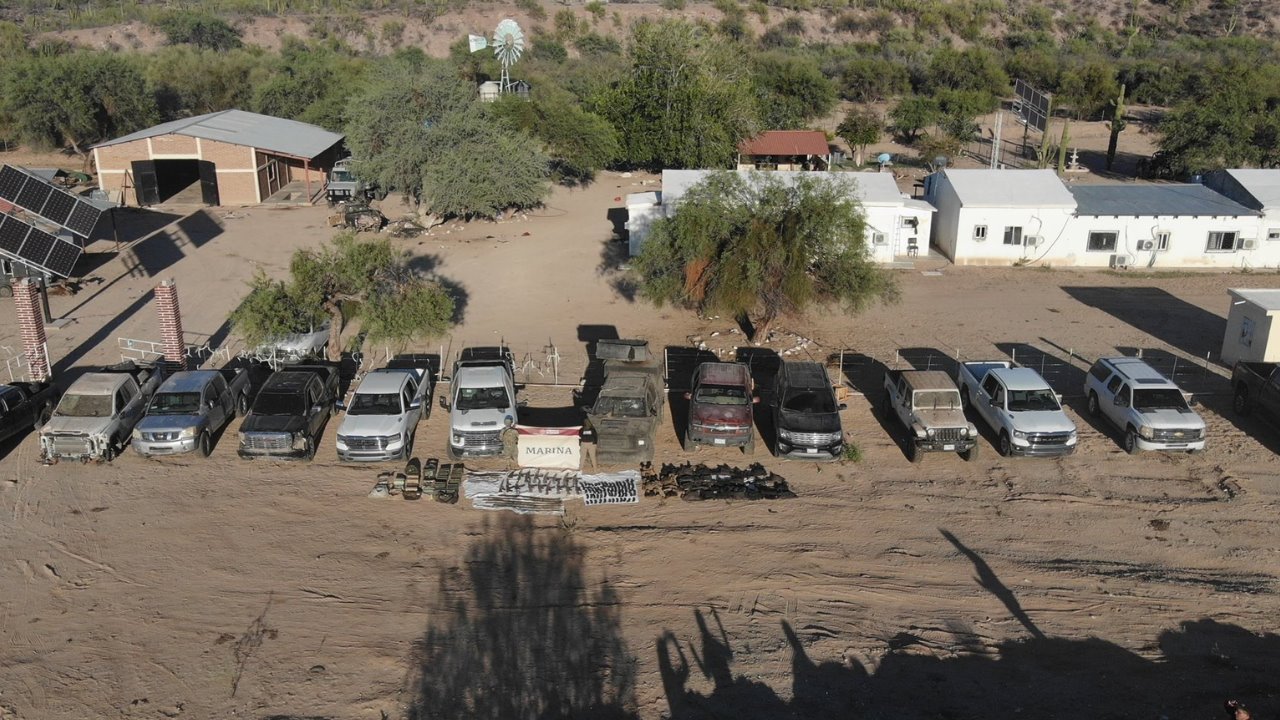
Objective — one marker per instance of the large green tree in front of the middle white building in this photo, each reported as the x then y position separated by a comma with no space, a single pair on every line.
755,245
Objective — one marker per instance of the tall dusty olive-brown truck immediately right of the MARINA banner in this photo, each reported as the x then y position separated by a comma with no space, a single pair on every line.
630,405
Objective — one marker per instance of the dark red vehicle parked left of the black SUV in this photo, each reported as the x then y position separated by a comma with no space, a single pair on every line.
721,408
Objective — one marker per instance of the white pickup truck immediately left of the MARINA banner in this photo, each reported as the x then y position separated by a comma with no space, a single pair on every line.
482,402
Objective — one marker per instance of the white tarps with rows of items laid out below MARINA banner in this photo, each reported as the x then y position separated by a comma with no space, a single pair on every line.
534,491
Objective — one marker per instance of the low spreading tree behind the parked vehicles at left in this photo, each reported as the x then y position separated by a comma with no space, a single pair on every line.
344,281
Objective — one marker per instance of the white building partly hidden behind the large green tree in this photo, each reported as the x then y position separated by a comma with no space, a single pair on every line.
897,225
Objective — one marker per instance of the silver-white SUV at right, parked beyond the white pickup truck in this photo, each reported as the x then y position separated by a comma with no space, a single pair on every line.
1148,407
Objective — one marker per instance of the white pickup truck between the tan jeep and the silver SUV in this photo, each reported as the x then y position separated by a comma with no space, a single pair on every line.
1020,407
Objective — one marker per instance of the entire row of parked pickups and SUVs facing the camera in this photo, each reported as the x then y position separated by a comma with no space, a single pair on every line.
285,413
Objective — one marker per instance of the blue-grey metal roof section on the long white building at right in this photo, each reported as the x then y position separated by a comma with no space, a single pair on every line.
1154,200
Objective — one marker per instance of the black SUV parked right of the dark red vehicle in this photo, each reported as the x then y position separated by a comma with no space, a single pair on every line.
806,413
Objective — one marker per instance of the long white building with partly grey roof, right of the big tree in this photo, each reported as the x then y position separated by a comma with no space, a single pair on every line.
1031,217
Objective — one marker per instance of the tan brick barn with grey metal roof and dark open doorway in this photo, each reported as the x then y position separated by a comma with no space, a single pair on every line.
228,158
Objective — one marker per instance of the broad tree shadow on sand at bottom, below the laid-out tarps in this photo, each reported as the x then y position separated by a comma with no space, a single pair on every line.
520,632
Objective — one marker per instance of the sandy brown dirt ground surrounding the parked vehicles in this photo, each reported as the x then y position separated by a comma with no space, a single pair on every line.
1096,586
